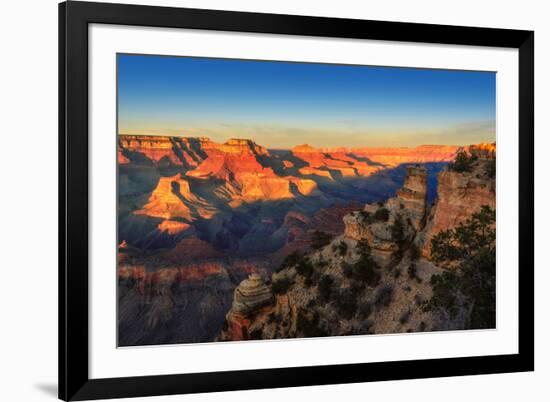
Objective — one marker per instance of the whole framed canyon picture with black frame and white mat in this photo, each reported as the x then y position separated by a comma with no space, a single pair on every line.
257,200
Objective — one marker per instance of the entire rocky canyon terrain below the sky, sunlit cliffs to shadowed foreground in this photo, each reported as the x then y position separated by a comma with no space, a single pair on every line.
235,241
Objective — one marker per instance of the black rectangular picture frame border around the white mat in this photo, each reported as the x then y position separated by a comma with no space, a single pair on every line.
74,18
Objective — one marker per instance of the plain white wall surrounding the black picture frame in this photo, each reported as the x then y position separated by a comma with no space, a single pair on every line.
28,198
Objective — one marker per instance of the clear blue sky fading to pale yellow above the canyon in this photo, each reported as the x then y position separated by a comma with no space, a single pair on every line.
281,104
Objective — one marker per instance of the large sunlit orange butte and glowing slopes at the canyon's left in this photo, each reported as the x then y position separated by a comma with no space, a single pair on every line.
236,164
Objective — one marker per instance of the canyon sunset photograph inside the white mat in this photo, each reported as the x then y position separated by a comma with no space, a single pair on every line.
264,200
